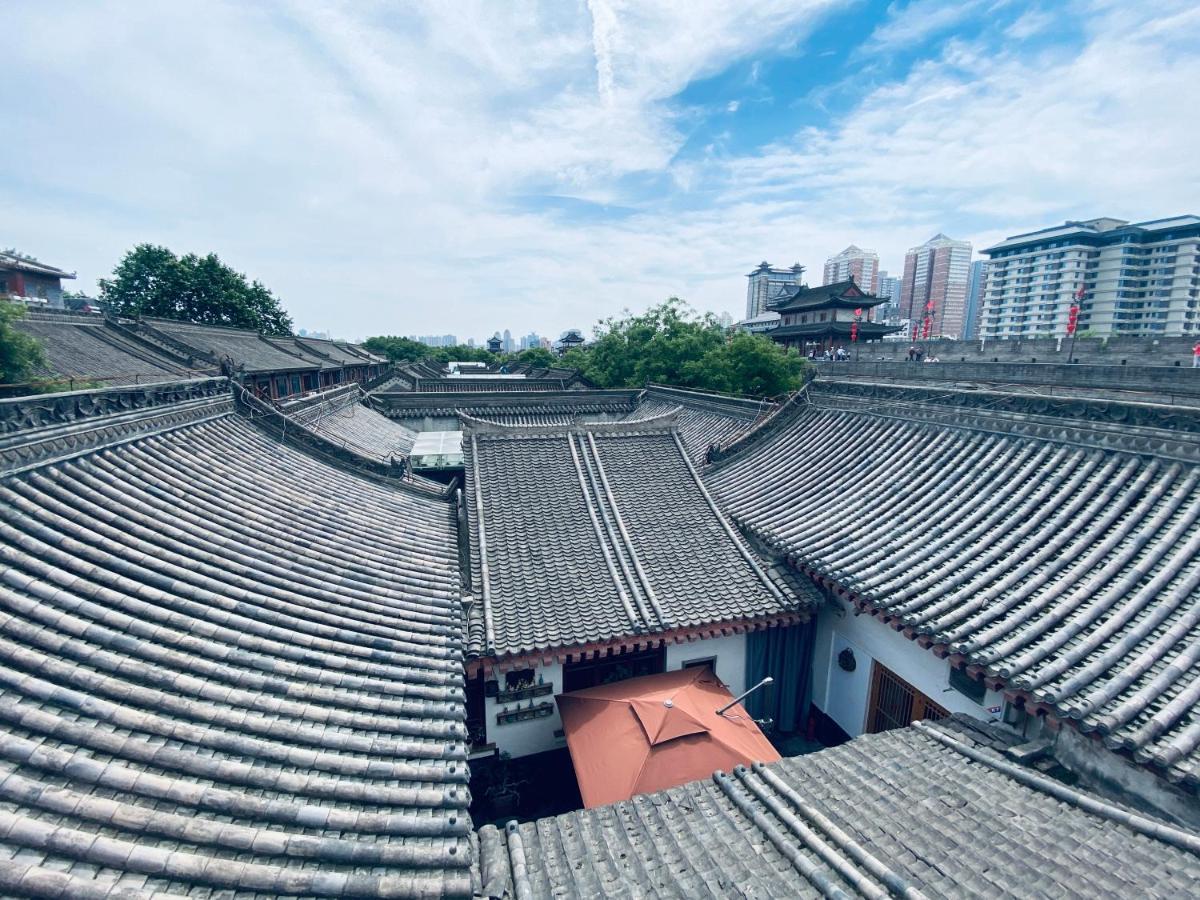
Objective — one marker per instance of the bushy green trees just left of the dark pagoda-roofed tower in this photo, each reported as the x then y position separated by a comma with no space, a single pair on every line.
670,344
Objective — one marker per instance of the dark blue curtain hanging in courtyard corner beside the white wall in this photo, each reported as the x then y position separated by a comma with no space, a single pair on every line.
787,656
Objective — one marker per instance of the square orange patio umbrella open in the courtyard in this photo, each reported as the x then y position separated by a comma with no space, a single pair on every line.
655,733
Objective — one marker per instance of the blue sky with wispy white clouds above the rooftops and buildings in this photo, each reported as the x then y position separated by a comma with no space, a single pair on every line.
469,167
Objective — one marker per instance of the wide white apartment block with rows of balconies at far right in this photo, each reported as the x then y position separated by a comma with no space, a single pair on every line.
1130,279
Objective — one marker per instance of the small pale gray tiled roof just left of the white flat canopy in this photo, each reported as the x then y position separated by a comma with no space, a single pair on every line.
340,417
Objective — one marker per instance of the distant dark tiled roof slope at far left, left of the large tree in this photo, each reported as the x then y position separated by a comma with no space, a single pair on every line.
86,347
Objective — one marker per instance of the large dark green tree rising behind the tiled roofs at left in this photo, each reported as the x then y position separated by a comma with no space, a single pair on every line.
153,281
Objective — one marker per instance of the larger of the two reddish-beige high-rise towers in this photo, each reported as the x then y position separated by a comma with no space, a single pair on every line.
935,286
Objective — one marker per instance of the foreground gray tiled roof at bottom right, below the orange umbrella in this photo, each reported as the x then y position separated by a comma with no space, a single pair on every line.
927,812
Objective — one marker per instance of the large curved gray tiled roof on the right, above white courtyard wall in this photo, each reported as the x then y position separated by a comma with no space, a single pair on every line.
1055,545
